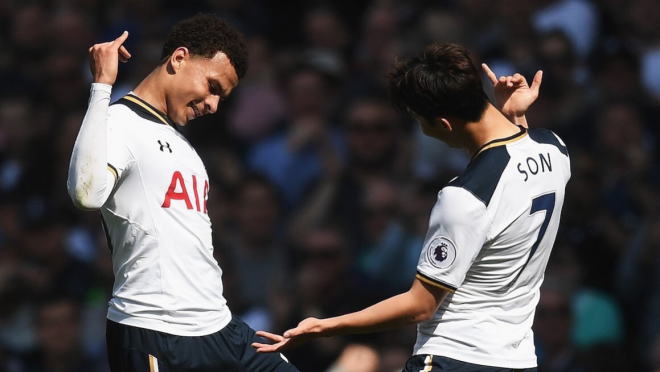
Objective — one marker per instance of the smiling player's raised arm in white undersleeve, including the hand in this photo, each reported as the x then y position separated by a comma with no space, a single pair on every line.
90,180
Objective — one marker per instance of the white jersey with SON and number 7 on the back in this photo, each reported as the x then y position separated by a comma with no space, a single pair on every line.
489,240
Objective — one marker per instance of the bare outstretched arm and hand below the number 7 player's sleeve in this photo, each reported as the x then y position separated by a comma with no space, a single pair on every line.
412,307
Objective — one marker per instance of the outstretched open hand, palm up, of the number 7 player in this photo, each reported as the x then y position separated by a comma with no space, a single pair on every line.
306,330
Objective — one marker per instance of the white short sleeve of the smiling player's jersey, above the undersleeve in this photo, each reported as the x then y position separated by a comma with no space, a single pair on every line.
120,156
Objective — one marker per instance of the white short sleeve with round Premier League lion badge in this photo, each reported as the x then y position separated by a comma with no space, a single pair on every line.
458,228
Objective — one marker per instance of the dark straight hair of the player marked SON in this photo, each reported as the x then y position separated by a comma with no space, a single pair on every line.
441,80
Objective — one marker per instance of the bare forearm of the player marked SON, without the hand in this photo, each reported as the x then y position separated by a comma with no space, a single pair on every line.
395,312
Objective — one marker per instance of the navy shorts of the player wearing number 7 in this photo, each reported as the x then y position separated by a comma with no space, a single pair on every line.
419,363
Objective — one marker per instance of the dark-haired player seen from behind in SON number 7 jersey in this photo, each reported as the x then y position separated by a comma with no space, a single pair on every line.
490,232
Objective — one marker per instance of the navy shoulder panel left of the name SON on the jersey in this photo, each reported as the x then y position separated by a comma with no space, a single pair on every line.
483,174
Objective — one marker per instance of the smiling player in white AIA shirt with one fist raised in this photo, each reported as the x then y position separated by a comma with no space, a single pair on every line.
167,311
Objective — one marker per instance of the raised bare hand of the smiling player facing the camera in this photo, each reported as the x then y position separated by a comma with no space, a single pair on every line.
103,59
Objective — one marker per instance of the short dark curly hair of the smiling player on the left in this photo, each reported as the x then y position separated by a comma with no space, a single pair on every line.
205,35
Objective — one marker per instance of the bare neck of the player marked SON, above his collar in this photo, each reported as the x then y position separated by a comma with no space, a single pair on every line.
492,125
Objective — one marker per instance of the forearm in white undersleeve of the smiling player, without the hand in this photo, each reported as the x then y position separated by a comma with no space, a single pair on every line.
89,183
